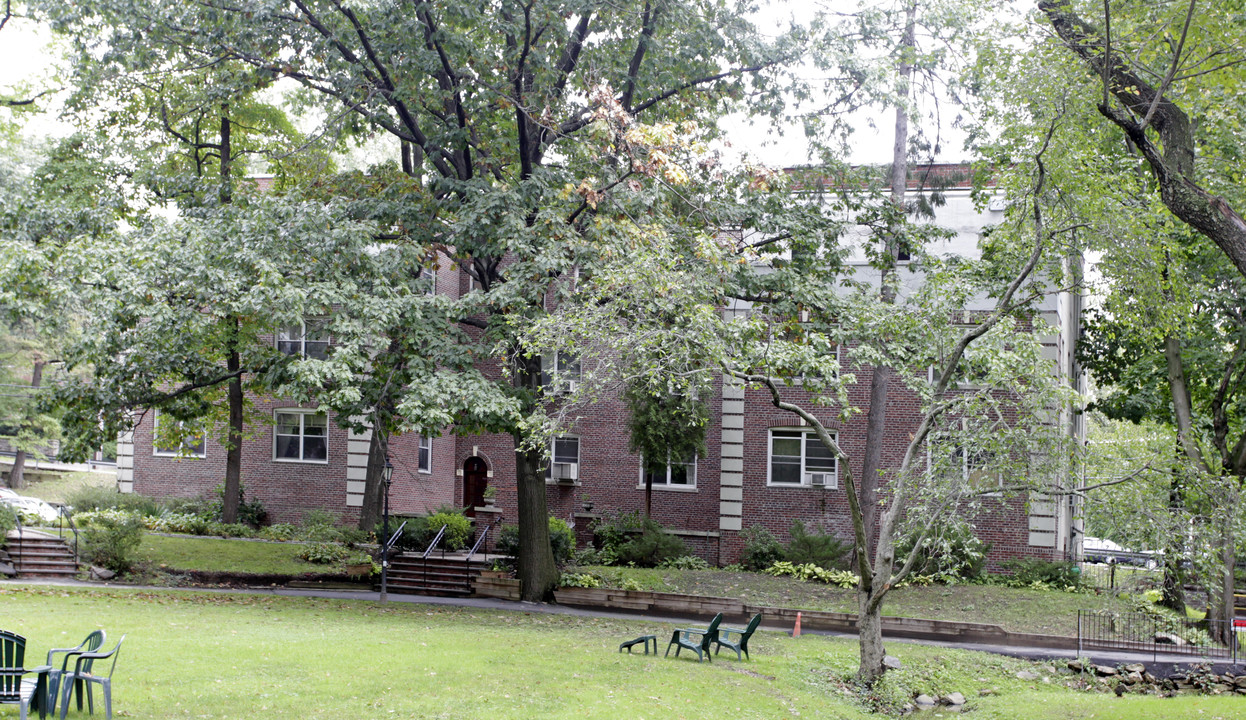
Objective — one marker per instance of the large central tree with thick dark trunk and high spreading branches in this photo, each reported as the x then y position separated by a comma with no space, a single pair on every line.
500,113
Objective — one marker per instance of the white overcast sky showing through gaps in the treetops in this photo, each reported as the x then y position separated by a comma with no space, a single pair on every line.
27,57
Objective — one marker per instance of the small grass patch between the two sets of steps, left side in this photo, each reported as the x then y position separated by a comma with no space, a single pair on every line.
174,554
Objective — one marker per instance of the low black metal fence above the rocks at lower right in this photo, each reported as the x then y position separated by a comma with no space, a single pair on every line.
1144,633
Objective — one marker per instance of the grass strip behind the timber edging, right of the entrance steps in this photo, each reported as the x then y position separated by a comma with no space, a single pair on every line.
1017,610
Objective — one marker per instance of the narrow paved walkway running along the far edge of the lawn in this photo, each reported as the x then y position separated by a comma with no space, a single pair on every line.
1161,666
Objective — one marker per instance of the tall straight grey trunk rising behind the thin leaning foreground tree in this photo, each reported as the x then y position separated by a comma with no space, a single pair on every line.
877,420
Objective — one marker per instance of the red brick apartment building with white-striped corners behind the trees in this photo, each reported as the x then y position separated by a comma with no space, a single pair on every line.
761,470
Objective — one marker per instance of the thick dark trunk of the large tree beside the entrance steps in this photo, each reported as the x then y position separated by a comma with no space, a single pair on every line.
536,566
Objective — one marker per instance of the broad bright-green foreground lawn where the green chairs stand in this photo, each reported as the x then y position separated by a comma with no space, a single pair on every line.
227,656
